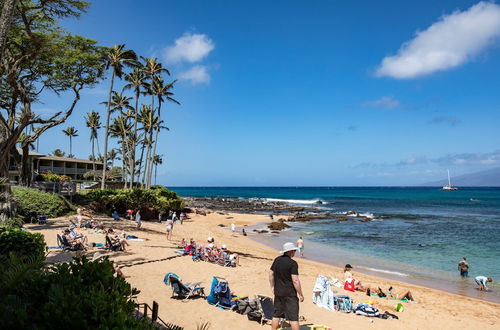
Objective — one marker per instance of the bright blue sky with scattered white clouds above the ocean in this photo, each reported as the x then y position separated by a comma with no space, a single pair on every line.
308,93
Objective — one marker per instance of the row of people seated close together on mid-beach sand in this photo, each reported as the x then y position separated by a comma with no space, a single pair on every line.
210,252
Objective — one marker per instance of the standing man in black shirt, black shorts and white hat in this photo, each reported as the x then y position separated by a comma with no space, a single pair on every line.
285,284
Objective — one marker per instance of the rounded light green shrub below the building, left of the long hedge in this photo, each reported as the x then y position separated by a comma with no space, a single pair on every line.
33,200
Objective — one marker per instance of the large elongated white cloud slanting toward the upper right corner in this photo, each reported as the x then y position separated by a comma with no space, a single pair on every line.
448,43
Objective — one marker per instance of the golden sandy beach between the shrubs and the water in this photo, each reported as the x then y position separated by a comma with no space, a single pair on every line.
147,262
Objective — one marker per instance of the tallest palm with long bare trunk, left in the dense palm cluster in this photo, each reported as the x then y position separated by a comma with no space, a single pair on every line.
116,57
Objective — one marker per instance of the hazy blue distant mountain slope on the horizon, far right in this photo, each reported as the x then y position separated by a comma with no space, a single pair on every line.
487,178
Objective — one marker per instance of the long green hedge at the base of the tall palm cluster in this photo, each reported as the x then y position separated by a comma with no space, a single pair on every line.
157,198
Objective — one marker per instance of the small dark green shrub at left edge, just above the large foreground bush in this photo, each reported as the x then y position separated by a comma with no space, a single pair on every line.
20,242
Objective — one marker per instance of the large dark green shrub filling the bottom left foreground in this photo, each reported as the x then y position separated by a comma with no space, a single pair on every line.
79,295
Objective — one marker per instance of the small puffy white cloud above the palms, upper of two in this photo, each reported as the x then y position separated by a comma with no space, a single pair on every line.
190,48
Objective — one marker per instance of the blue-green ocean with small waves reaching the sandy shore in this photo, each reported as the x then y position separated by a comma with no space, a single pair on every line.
417,235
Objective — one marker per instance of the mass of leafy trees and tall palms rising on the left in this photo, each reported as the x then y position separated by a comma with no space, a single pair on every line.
39,57
